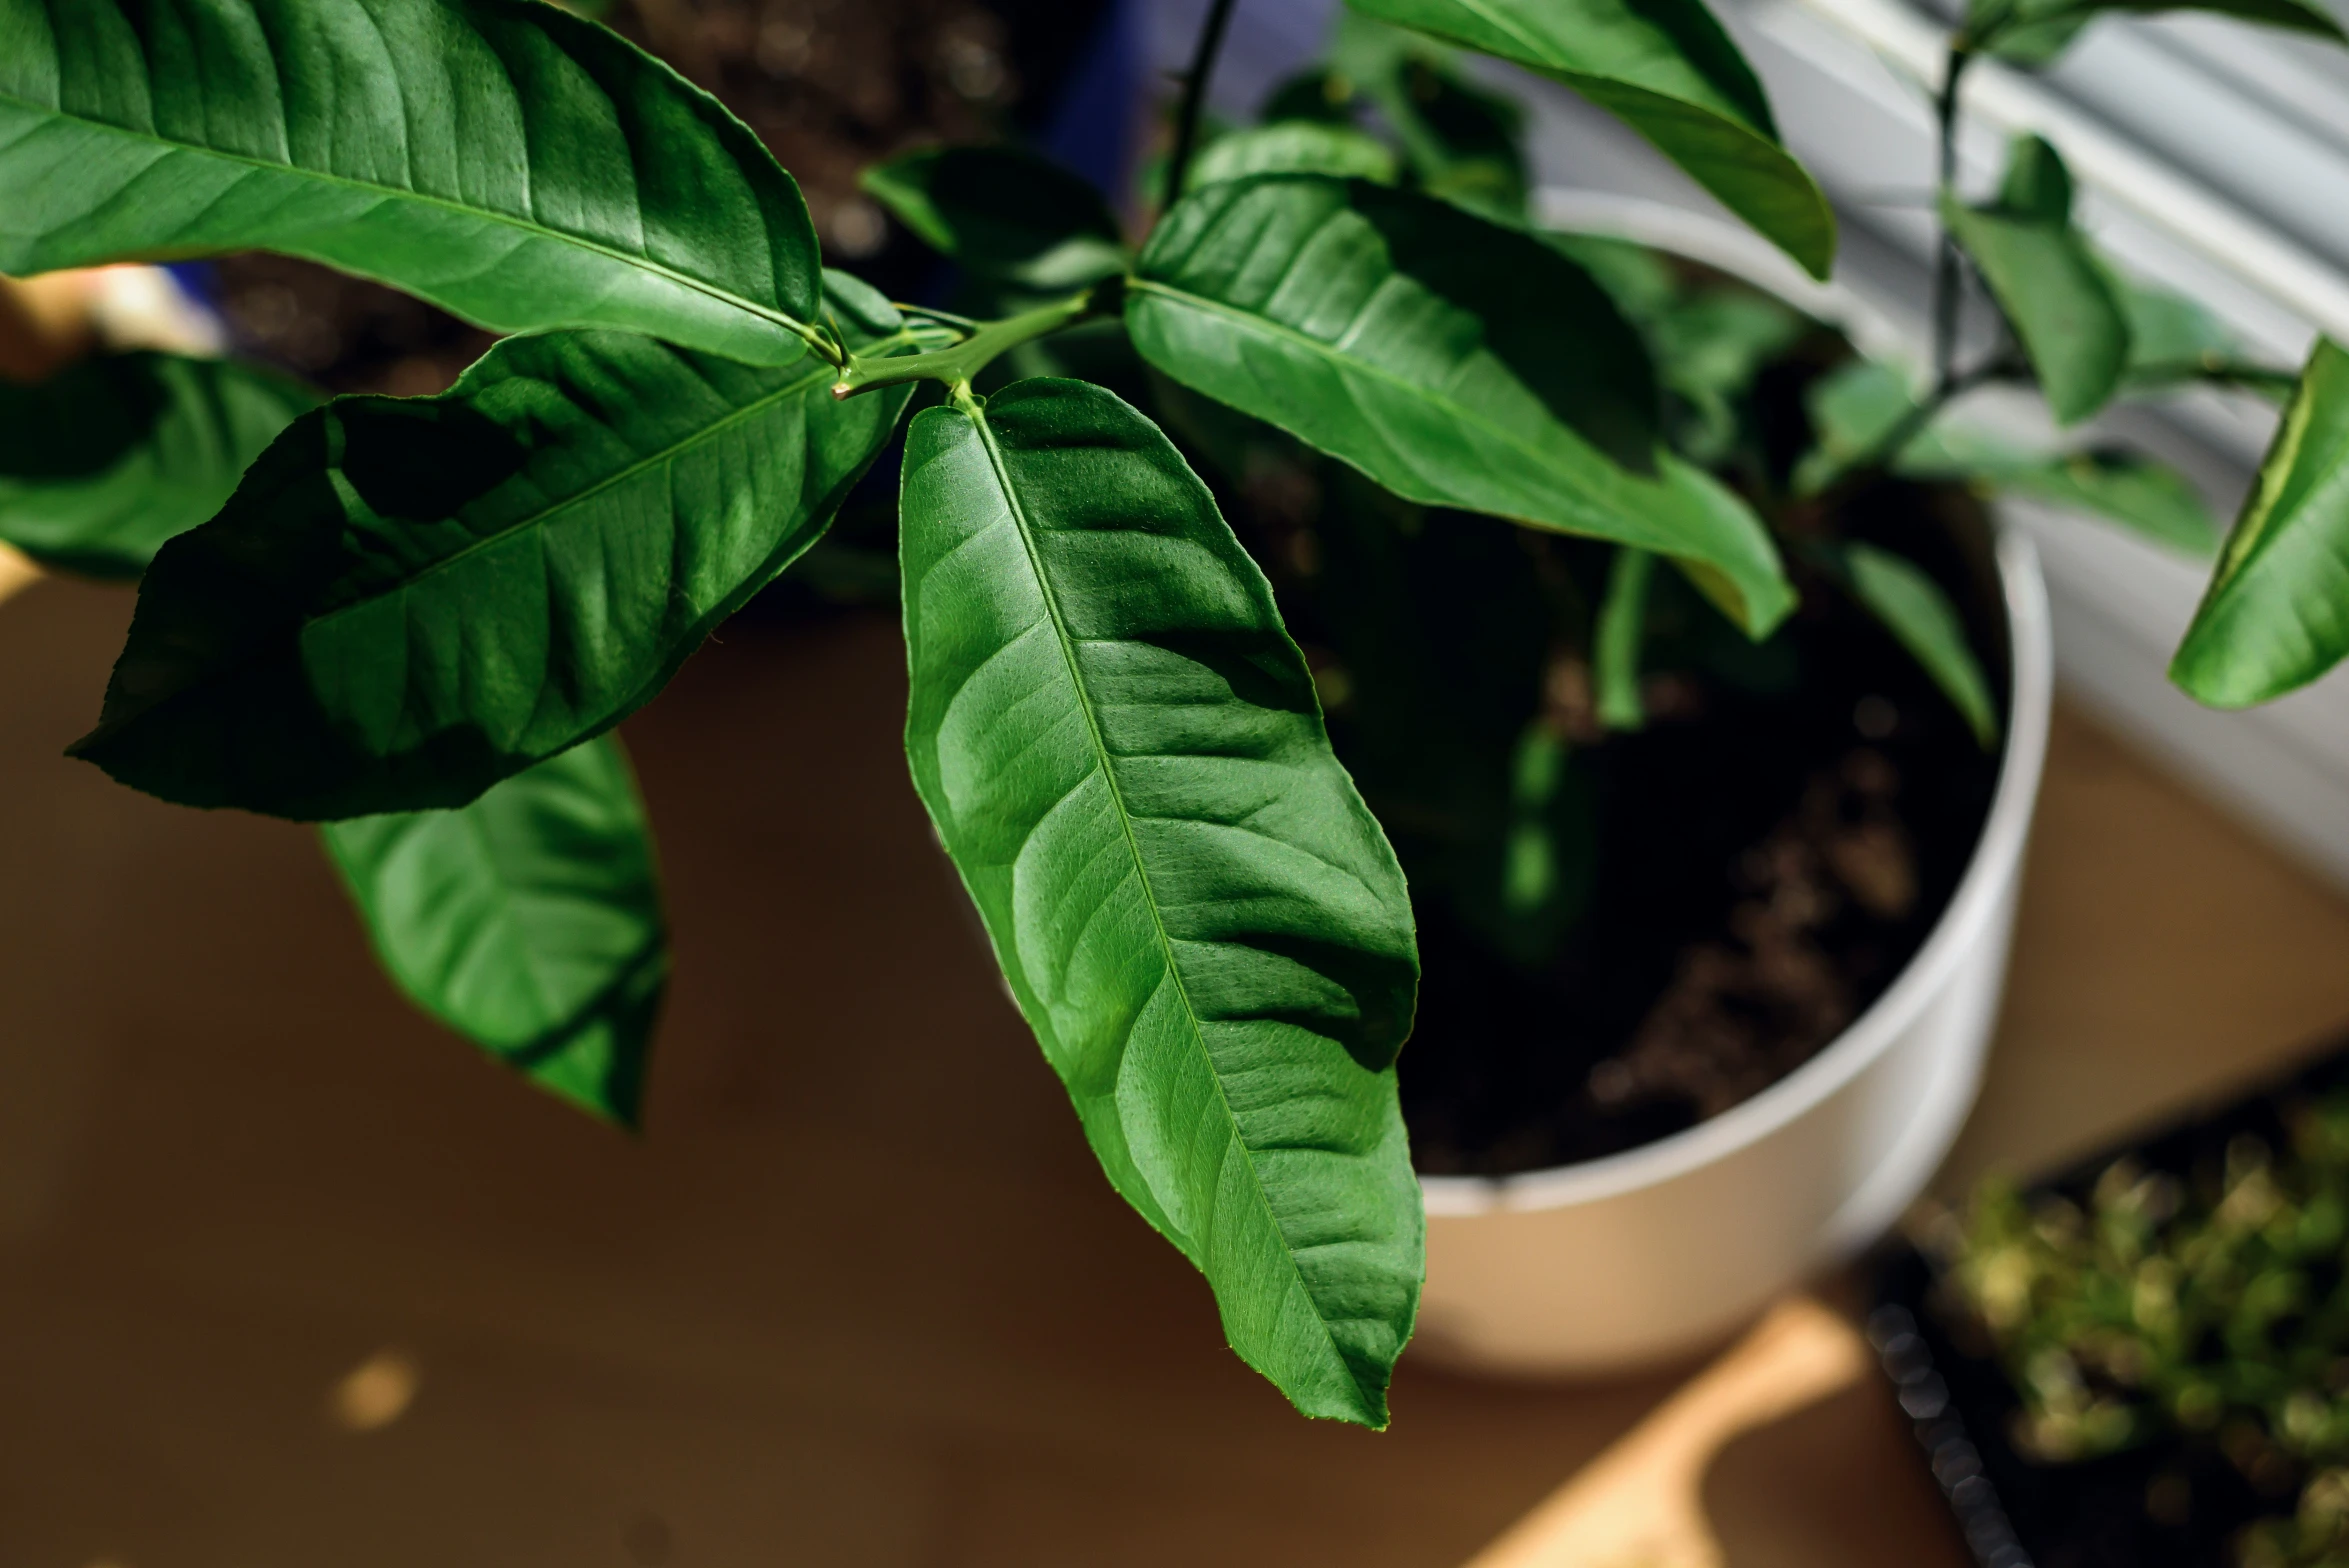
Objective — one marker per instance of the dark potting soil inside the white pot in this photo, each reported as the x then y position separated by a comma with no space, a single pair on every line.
1765,870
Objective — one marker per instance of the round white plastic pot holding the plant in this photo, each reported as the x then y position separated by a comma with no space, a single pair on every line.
1669,1248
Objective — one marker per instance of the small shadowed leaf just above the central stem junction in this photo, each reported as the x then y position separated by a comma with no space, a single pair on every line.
1004,212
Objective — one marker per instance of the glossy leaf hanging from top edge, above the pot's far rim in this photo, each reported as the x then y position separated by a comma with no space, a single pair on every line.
1669,72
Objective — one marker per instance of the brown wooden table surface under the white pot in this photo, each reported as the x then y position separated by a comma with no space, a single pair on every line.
292,1280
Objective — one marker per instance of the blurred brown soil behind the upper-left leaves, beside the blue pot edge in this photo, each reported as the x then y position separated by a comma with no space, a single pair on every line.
830,86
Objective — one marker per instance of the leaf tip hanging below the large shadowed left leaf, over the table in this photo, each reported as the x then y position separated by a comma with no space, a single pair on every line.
527,921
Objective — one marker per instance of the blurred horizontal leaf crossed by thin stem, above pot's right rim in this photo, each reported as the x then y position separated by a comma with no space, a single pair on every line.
1862,405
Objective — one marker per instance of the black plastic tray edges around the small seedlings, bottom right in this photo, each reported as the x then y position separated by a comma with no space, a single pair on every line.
2024,1513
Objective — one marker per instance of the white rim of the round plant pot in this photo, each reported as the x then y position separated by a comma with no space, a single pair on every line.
1988,872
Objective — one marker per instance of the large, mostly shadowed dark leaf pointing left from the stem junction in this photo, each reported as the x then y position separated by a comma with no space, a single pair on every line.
412,600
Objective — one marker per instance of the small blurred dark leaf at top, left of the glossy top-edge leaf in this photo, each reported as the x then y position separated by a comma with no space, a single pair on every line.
1465,144
